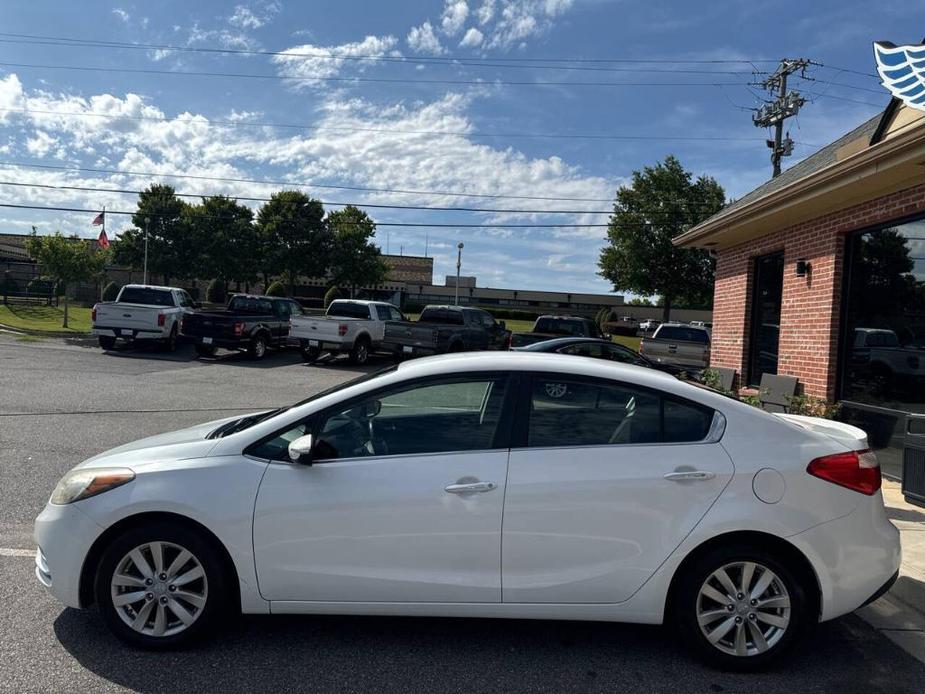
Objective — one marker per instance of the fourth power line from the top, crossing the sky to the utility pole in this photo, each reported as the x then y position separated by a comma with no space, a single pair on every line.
335,128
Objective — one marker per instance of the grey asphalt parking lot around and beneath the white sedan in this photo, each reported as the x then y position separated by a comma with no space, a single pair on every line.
62,402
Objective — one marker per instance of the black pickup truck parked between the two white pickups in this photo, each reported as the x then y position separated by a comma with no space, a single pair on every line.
249,323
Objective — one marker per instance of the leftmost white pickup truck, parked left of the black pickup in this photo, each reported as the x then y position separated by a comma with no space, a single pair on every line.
142,312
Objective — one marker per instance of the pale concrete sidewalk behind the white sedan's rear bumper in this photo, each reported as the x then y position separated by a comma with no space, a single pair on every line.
900,614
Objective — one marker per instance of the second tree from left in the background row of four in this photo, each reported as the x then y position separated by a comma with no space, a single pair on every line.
226,239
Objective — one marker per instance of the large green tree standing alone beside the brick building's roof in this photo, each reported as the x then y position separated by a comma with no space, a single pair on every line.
662,202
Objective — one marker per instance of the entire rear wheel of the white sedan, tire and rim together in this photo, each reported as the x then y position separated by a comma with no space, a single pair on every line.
741,608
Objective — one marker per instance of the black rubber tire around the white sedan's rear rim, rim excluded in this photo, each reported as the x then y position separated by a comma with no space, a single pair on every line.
687,601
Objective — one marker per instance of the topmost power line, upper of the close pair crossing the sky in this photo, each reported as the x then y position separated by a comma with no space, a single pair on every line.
321,53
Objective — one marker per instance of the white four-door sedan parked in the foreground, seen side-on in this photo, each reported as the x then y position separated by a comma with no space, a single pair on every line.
508,485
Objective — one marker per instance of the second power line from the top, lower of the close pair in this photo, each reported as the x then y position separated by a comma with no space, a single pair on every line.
532,64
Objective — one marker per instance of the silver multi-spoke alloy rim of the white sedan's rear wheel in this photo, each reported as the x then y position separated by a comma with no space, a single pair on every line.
743,609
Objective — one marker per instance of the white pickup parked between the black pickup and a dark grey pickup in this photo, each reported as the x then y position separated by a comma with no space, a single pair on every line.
349,326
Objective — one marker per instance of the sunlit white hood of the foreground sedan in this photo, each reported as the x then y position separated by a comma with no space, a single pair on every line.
174,445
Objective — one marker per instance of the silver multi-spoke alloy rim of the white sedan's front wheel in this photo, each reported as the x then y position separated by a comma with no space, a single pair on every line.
159,589
